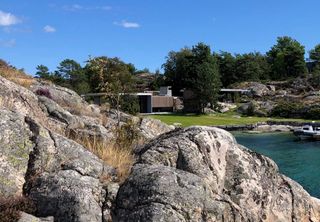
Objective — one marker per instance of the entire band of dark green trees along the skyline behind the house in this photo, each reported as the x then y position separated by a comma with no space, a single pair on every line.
197,69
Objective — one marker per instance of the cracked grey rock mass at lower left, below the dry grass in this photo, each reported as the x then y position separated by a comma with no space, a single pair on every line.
62,178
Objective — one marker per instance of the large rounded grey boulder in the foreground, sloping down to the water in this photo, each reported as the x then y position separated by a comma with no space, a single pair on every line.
202,174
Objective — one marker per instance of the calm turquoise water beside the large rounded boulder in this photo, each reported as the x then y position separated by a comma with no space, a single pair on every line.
296,159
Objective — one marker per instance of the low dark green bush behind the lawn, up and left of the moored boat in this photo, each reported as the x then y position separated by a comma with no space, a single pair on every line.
288,110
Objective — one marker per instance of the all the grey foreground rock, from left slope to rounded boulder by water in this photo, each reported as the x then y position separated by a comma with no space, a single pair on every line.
188,174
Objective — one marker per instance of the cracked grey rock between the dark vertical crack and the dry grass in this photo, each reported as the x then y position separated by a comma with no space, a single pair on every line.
65,180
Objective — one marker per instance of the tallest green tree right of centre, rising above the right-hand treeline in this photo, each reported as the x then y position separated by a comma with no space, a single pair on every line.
287,59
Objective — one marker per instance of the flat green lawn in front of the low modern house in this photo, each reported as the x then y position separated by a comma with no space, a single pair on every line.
215,119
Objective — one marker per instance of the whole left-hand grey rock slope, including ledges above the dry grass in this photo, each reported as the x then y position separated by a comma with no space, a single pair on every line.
61,177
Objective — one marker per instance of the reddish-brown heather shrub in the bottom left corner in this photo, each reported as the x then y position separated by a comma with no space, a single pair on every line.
10,207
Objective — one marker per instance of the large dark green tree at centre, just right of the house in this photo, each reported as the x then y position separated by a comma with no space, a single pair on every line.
196,70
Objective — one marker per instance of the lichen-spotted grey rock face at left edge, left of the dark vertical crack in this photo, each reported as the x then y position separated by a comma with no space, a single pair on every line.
15,147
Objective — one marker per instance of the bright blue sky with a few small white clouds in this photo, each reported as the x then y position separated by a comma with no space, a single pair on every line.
142,32
